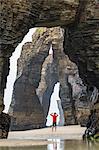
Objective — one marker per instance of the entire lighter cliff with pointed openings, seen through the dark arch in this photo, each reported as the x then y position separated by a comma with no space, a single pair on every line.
38,72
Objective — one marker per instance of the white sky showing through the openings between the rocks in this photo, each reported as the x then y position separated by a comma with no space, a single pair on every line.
12,76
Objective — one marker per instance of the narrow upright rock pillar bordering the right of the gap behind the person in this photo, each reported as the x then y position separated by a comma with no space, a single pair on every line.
65,87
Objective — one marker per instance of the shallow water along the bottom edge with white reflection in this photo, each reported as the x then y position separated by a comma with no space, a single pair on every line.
60,145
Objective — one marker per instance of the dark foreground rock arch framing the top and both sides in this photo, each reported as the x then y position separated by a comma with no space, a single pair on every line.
80,18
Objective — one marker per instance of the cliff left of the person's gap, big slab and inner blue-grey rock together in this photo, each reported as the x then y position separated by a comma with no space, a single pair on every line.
37,70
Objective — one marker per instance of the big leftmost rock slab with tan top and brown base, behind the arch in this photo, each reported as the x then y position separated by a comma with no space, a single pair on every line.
27,81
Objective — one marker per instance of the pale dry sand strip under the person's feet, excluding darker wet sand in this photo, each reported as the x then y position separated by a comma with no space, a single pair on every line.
66,132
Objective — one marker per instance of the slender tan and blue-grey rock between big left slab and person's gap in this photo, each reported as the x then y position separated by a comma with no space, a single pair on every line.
46,86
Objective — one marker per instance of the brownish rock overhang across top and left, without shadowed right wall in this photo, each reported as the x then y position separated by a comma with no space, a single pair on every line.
17,17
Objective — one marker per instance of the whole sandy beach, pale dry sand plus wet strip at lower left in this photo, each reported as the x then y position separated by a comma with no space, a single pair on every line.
42,136
